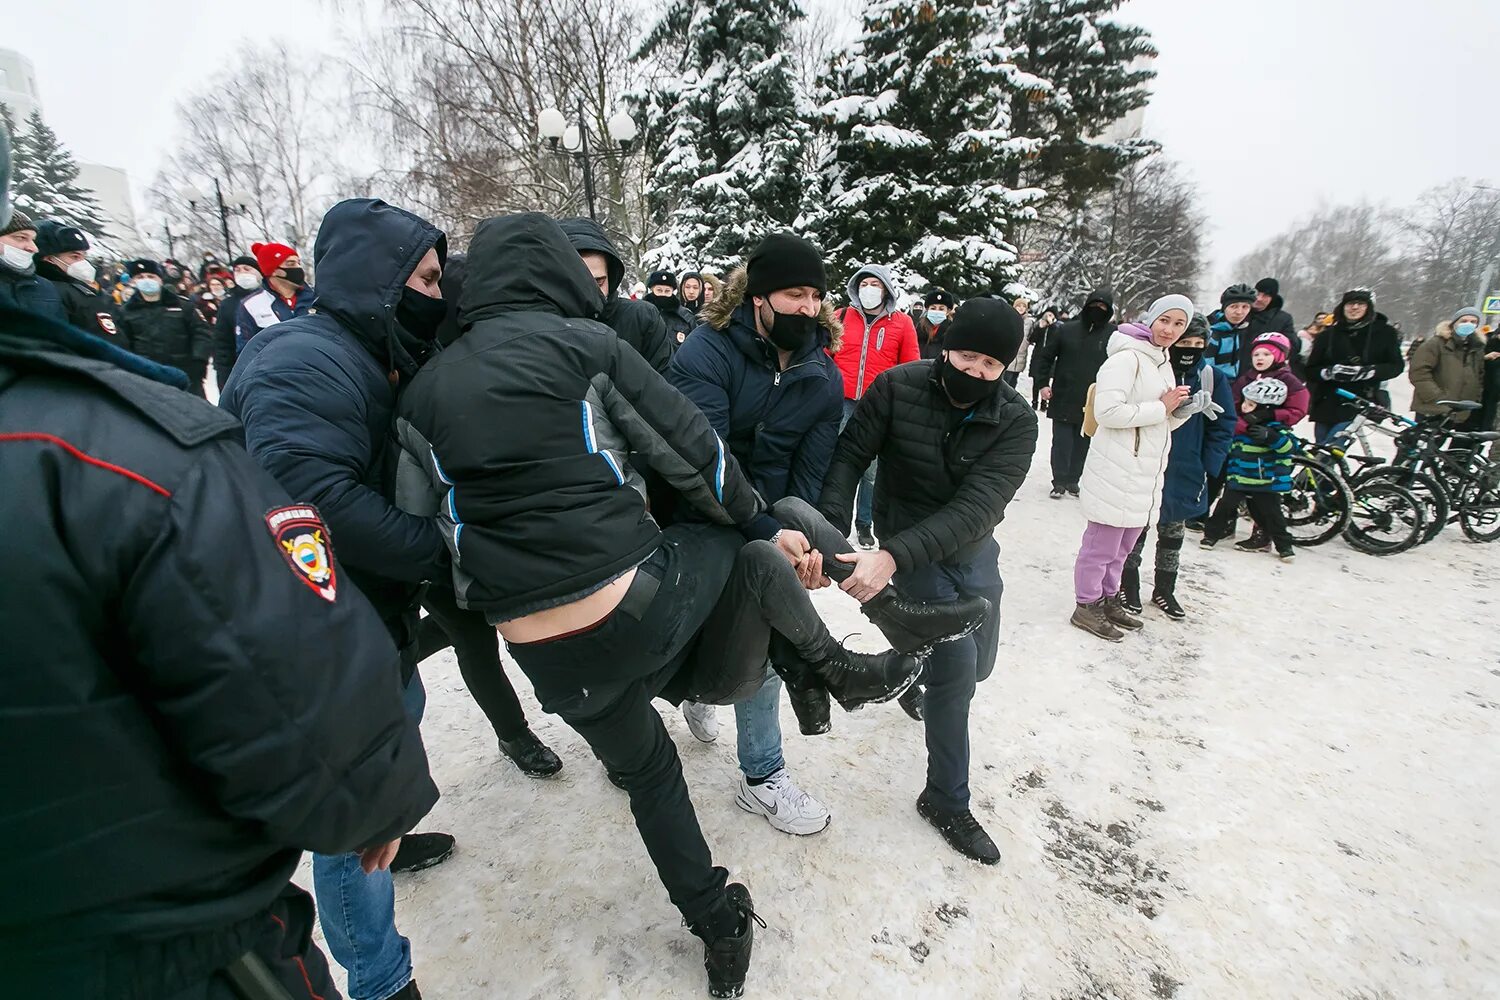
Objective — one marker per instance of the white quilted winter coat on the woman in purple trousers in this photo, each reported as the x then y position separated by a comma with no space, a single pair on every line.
1127,463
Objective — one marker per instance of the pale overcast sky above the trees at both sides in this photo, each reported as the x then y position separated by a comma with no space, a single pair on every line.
1273,106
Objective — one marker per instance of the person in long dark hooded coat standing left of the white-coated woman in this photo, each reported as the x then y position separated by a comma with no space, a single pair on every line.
1067,365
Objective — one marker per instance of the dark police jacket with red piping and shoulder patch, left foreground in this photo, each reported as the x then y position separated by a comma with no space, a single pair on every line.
184,713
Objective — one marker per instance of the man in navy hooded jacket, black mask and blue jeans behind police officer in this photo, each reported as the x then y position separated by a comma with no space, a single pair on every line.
317,397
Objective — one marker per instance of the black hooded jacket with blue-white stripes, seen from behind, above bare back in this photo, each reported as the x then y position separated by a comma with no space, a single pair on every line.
517,437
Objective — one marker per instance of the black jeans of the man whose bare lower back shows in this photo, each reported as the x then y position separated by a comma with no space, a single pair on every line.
706,632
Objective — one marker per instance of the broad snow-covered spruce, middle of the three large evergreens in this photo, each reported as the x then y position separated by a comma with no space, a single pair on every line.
922,113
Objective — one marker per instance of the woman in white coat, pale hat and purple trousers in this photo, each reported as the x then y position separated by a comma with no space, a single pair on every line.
1136,398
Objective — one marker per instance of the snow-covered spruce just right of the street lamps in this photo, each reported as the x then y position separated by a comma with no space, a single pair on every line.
727,130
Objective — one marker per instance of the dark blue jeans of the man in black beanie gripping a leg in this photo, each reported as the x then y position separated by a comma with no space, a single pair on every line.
955,669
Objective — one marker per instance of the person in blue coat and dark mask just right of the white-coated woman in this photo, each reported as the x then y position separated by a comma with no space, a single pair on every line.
1199,449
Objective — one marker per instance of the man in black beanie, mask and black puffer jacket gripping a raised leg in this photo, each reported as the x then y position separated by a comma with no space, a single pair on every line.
955,445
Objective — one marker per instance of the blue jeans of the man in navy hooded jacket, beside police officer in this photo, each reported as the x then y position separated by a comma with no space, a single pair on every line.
358,912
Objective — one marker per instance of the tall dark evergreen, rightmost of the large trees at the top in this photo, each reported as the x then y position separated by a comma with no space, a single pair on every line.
1091,74
